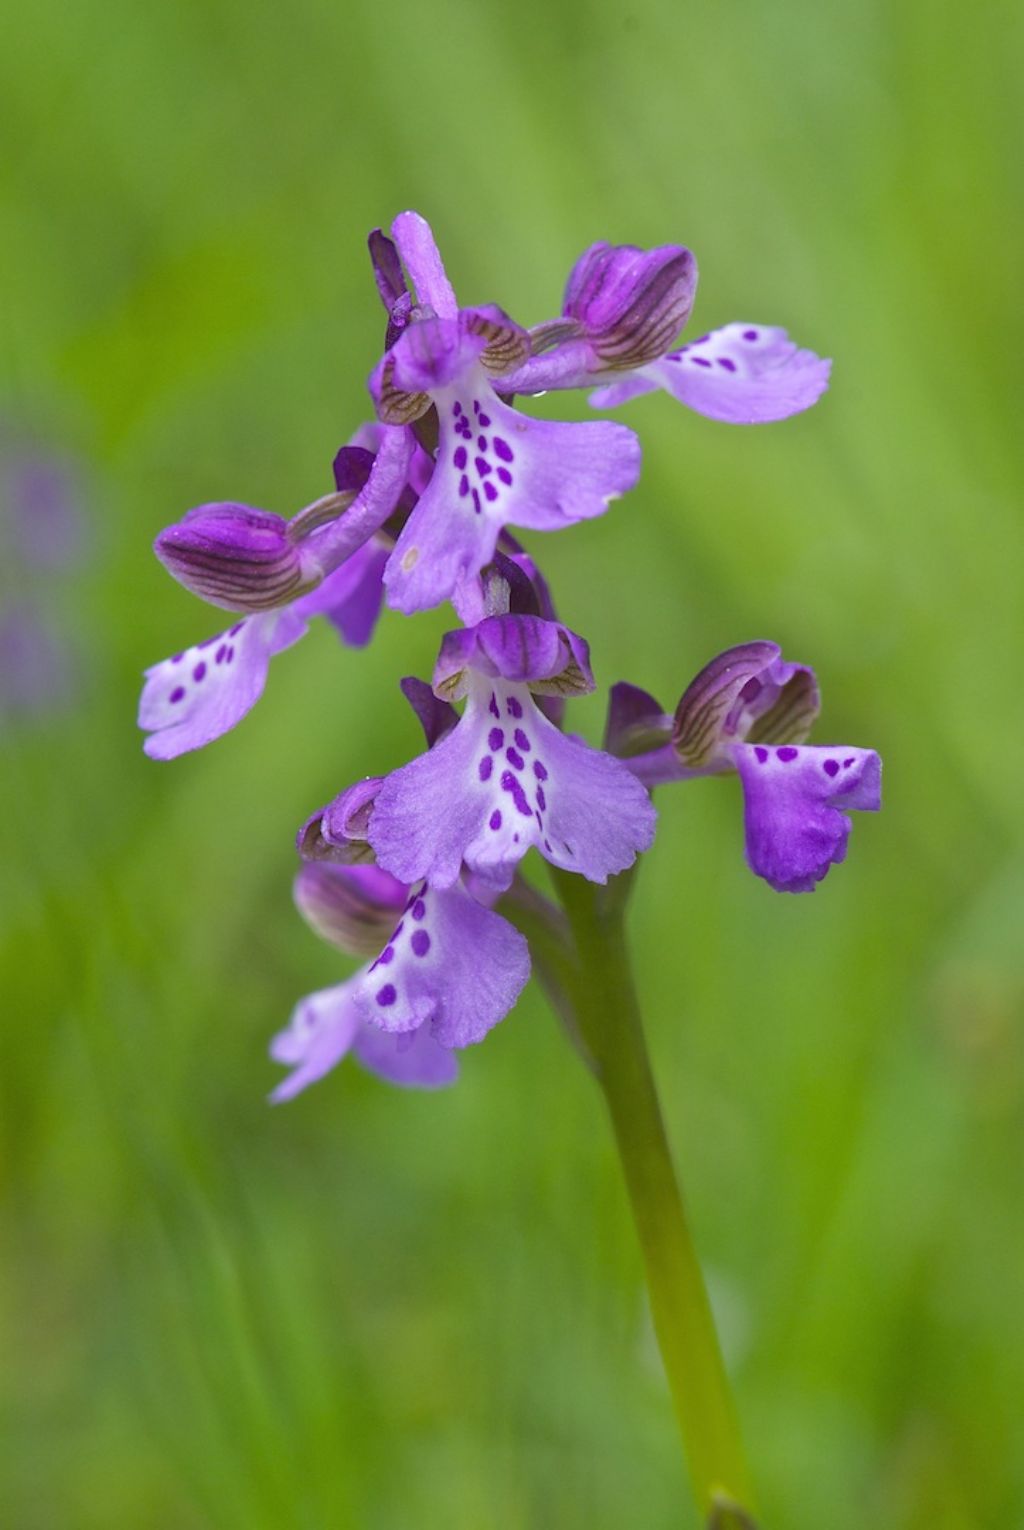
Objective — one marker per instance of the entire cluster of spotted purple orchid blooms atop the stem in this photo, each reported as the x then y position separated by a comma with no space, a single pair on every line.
408,871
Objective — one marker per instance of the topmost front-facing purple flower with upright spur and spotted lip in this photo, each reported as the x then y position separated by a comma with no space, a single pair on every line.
495,467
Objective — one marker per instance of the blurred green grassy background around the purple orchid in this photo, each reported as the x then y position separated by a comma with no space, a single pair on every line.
391,1312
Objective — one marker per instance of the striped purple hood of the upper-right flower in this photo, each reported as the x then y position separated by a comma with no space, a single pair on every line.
631,304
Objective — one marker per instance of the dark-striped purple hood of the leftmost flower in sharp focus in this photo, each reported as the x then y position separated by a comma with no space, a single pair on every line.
235,556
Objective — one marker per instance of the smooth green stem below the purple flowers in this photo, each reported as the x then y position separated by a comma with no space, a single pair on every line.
604,1000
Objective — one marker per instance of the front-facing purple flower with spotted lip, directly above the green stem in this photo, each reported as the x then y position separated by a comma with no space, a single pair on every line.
506,778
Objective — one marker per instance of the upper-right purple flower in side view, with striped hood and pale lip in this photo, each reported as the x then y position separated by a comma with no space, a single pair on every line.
622,310
